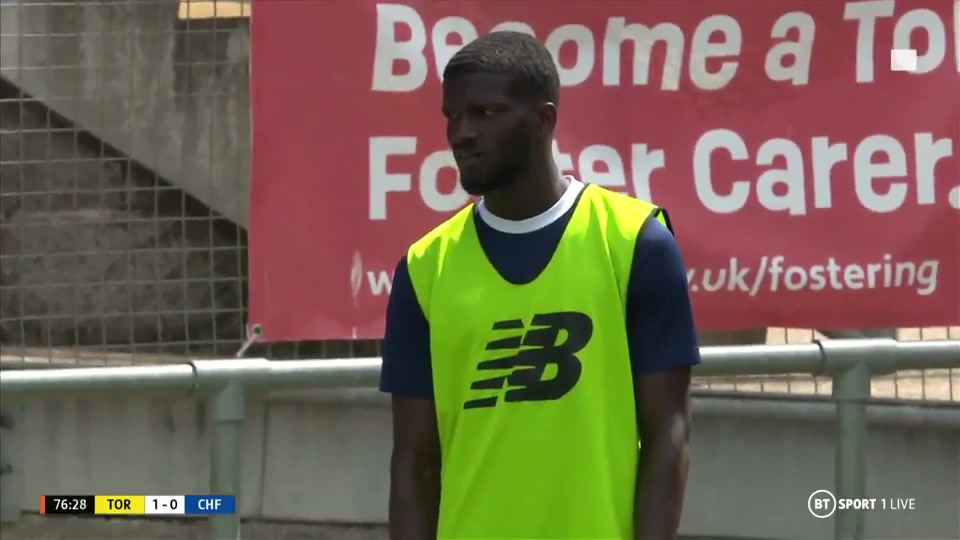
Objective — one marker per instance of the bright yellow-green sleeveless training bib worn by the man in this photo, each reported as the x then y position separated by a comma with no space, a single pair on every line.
533,387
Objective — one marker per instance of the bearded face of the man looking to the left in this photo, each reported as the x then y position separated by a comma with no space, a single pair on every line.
491,134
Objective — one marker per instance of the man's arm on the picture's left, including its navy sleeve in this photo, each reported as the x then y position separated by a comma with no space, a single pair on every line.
407,375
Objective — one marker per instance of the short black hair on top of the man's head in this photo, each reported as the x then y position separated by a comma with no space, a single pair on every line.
528,64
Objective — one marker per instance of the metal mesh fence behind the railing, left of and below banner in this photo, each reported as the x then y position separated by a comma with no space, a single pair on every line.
124,141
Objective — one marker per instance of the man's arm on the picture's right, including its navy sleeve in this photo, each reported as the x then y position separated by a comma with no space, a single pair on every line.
663,348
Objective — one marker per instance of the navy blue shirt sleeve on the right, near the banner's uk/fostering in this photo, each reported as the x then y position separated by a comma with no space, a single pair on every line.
660,327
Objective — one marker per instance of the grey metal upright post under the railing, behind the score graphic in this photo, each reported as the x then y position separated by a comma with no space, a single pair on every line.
226,454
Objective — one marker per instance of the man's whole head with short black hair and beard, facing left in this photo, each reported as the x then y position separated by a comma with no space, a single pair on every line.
500,96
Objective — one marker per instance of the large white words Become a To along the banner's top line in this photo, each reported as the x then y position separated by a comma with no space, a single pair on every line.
710,56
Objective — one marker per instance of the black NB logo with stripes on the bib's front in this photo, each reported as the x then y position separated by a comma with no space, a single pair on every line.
542,346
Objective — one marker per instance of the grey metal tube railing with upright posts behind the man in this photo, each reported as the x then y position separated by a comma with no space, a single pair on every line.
851,364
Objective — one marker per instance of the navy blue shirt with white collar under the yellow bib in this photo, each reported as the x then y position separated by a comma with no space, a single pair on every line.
660,329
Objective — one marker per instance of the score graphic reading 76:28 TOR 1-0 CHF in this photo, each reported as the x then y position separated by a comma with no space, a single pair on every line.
137,505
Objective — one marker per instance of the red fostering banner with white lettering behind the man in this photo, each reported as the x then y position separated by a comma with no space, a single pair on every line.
806,150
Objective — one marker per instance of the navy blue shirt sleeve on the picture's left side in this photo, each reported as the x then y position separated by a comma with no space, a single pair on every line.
407,367
